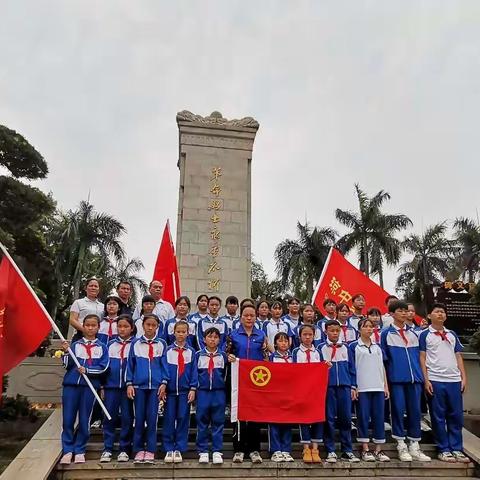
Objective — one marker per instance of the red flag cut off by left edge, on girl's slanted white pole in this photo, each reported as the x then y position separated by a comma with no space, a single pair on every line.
23,323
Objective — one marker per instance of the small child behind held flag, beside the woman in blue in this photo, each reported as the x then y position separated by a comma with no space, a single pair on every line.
280,434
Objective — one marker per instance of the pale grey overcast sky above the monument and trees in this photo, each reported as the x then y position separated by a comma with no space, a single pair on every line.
384,93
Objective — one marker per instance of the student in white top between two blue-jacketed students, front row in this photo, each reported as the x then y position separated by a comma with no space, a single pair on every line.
372,391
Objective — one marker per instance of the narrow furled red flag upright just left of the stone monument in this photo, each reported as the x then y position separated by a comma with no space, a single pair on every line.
166,269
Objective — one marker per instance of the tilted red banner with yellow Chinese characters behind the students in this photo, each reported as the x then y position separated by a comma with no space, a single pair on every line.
340,280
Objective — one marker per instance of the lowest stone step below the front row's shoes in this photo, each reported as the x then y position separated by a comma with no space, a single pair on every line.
191,469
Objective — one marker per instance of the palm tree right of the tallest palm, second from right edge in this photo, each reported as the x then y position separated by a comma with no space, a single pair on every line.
432,258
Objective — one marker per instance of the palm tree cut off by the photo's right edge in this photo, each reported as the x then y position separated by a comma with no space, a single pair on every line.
468,237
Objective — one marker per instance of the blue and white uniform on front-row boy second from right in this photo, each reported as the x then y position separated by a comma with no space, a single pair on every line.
405,378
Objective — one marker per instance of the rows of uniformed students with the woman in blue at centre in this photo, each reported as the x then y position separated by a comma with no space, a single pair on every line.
377,364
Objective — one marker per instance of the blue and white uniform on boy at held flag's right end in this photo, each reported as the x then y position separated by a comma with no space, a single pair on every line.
341,378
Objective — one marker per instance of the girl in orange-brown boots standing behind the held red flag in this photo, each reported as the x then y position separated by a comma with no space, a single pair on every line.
310,435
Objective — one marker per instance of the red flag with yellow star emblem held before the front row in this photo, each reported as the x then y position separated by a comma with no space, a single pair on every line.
270,392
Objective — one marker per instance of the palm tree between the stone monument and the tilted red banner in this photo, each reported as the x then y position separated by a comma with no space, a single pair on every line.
302,260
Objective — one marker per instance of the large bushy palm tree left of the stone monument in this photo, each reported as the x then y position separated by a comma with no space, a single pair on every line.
84,232
